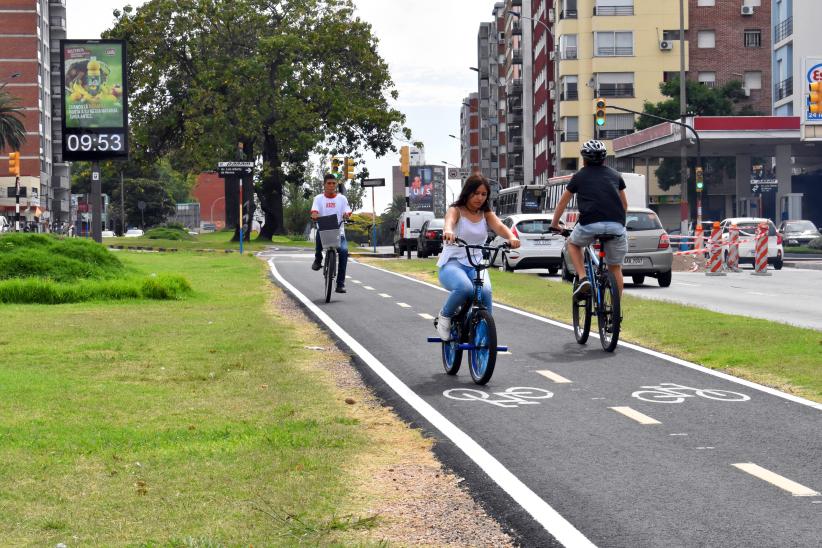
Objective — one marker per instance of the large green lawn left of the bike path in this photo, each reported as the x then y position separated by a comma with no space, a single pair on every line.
197,422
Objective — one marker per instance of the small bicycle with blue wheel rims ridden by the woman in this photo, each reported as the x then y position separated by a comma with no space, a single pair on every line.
473,328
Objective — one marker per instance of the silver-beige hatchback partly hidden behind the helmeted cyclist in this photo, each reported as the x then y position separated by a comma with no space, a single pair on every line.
649,249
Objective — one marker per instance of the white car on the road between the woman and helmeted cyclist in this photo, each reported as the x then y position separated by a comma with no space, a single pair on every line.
539,247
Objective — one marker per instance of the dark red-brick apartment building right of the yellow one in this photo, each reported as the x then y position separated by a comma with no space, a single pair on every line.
732,41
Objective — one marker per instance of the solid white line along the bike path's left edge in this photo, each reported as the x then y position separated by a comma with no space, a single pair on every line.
542,512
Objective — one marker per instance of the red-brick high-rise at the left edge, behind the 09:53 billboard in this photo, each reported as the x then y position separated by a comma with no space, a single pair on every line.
30,34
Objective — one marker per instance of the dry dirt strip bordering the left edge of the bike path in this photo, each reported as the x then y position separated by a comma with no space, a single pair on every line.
399,480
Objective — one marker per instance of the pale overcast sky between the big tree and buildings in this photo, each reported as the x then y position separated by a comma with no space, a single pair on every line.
428,44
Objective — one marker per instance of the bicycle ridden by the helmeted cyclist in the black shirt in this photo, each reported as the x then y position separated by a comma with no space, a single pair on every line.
603,299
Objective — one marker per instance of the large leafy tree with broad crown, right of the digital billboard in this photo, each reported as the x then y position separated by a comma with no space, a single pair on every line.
283,77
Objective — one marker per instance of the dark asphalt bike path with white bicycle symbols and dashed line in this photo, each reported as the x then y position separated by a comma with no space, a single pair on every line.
570,445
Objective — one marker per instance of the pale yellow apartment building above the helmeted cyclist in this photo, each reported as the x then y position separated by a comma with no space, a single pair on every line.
616,49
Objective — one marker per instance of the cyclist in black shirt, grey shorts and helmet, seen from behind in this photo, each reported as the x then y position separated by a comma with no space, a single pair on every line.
602,204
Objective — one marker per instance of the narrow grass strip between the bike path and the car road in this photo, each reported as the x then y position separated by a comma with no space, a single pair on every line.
769,353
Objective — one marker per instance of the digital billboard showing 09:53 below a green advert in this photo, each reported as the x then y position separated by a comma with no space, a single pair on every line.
94,99
